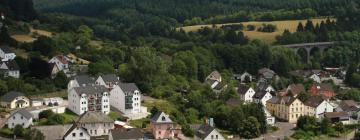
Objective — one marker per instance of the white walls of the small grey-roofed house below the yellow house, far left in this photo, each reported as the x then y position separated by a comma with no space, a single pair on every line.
18,119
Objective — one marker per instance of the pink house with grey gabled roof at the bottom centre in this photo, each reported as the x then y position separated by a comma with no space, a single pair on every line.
162,126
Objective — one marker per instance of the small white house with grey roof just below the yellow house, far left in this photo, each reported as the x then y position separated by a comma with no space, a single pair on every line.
20,117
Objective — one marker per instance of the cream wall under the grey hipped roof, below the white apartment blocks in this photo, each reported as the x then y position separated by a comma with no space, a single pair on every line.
98,129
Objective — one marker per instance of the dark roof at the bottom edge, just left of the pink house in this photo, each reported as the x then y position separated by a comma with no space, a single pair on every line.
131,133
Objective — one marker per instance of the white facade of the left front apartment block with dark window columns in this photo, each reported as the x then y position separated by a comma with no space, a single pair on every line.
79,103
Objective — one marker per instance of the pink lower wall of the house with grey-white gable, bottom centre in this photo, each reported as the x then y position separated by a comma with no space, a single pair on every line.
162,131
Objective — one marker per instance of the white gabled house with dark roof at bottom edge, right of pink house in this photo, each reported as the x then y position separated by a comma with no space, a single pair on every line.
207,132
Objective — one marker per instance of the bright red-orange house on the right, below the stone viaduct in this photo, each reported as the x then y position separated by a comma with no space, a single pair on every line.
324,89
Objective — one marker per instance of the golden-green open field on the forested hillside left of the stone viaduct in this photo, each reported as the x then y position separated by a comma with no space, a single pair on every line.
267,37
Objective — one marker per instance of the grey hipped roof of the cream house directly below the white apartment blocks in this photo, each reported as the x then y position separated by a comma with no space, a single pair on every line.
94,117
